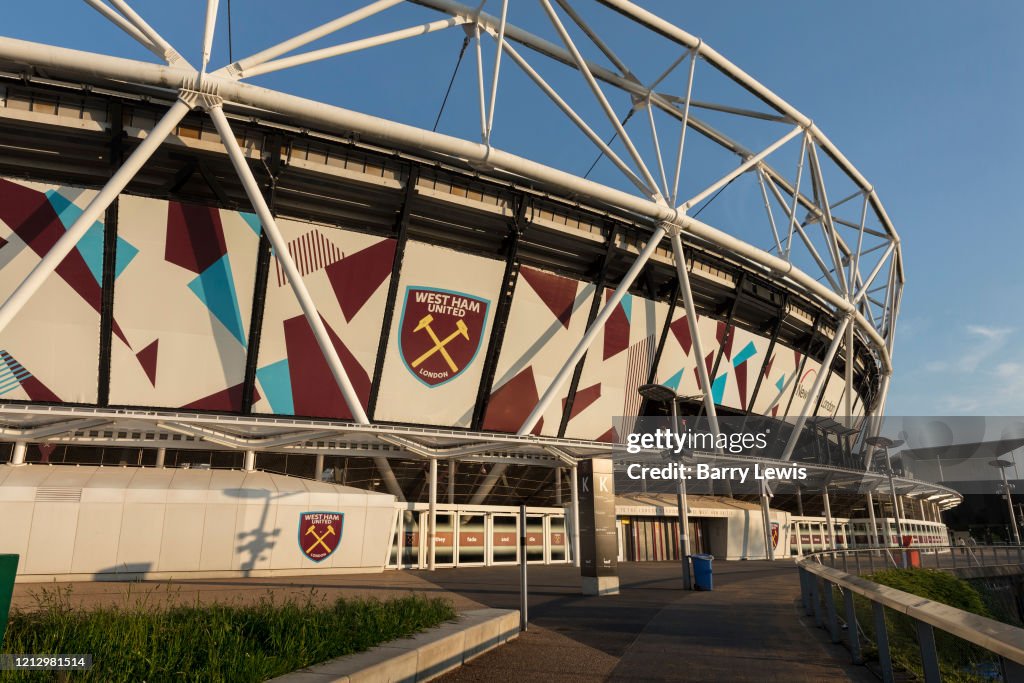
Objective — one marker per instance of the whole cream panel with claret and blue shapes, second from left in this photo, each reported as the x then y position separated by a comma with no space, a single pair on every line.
184,302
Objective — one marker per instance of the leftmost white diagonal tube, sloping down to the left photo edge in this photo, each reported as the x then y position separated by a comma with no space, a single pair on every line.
93,214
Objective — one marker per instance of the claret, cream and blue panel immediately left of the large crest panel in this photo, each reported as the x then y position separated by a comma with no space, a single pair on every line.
348,276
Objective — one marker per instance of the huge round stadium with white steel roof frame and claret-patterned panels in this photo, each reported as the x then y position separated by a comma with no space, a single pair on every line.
226,307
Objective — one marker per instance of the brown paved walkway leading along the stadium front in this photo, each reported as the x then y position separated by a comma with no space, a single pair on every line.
749,629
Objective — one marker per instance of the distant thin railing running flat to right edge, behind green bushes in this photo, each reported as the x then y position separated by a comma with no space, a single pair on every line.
859,561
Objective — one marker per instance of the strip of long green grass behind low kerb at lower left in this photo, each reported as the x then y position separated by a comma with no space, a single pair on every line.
217,643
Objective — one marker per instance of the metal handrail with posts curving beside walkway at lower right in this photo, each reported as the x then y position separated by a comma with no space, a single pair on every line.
818,582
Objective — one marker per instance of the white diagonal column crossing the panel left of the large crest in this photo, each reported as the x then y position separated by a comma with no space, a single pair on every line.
298,286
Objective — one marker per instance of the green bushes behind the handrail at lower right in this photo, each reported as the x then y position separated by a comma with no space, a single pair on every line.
959,660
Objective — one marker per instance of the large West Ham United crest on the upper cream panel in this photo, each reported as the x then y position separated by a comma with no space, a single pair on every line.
441,333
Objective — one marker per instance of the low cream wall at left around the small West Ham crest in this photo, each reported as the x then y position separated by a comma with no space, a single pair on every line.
97,523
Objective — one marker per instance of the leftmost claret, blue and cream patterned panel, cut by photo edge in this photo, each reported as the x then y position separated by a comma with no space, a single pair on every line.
51,352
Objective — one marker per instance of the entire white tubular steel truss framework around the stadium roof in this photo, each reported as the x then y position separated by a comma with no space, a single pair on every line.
835,279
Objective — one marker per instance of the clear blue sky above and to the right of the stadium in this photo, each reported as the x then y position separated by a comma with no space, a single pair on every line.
924,98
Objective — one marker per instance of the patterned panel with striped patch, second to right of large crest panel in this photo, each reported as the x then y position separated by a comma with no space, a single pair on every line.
617,365
